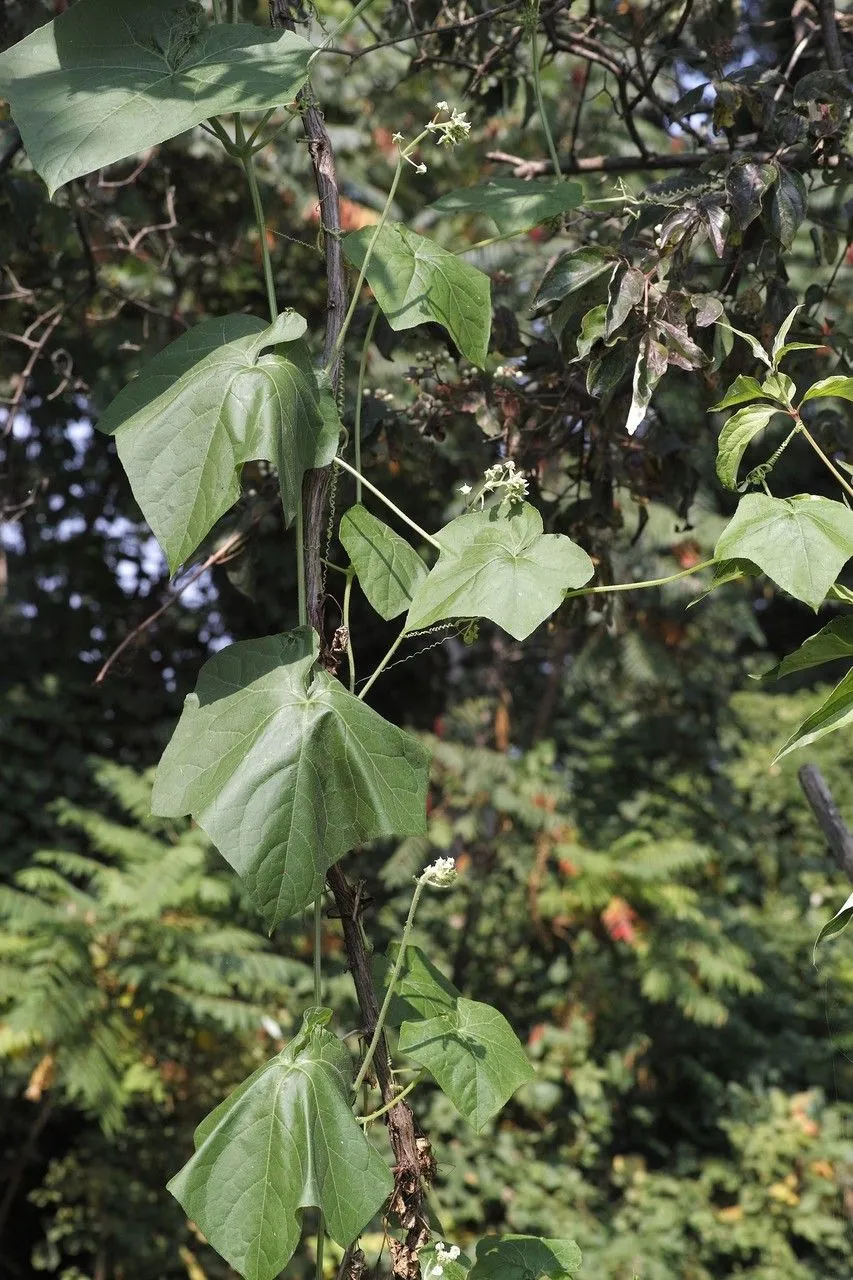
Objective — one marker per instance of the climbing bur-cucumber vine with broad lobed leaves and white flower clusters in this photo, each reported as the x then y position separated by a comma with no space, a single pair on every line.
282,764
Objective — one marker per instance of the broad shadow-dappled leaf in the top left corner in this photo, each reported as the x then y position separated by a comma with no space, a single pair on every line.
110,79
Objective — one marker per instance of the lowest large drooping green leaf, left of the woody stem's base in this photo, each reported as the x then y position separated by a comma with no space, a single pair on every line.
285,1141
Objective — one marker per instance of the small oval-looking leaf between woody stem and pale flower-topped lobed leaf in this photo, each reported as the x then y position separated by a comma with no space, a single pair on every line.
389,569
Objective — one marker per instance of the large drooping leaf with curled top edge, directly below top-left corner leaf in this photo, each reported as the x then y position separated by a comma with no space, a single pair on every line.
204,408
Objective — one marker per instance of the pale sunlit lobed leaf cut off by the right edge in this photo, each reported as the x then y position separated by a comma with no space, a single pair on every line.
801,543
